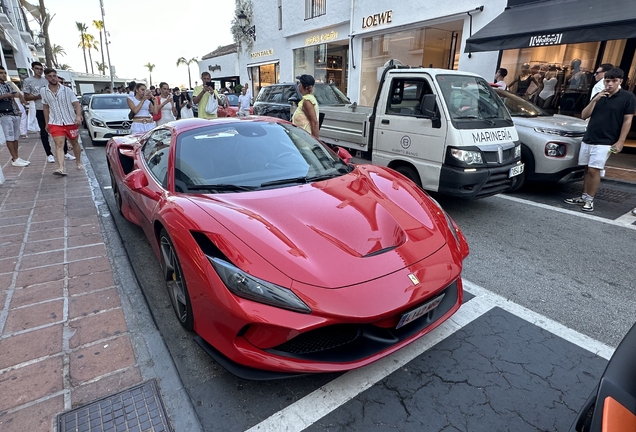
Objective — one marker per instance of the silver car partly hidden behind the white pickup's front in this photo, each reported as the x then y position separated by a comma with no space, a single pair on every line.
550,143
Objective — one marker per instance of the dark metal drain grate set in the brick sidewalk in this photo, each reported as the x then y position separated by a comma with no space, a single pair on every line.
138,409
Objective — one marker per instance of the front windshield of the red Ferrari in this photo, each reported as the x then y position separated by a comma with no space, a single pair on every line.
248,155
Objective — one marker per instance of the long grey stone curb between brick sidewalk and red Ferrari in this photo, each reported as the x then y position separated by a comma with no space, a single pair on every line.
152,353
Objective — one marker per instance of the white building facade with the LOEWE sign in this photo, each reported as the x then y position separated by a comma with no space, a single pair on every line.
348,42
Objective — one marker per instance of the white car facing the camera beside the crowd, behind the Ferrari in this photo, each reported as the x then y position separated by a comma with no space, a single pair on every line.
106,116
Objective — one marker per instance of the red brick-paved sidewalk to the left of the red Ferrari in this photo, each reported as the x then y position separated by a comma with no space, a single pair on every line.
65,333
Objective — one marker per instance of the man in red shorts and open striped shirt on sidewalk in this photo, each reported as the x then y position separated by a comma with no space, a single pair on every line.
63,115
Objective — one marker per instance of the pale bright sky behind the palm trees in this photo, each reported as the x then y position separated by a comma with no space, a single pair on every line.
142,31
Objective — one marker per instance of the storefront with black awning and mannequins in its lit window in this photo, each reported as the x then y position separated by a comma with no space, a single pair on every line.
552,48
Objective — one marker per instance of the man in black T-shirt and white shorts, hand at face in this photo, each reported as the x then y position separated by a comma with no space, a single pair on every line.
610,113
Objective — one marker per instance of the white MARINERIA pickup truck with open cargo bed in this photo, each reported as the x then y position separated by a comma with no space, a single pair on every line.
445,130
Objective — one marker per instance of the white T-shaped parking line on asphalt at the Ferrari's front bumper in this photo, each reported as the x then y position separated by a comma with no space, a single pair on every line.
308,410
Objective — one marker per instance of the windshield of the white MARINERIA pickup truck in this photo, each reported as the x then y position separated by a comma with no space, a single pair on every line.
471,98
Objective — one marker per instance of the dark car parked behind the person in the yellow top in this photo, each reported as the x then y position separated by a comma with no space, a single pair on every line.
274,100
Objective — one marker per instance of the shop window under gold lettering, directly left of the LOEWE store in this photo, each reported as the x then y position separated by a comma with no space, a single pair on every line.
325,56
